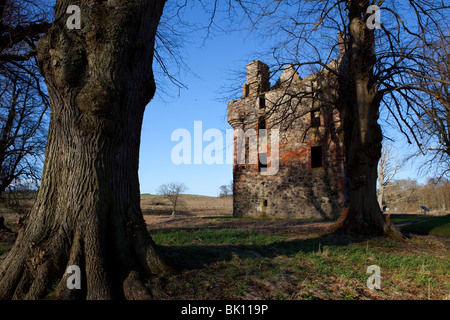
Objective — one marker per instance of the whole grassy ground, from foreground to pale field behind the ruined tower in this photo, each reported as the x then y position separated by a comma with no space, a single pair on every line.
221,257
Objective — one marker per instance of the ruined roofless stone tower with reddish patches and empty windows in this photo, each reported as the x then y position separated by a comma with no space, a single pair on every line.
306,178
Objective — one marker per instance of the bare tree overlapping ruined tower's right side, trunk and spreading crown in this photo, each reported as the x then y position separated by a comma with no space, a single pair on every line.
372,73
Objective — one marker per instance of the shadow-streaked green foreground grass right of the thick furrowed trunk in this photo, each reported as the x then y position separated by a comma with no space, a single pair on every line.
242,264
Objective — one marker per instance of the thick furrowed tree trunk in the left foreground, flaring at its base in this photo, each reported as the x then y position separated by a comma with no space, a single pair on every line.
87,211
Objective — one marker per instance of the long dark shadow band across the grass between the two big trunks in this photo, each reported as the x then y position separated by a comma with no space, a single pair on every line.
190,257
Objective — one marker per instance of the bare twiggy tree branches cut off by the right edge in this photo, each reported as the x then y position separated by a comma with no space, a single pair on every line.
430,124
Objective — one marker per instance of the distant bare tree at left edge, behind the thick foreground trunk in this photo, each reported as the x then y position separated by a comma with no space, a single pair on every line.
22,133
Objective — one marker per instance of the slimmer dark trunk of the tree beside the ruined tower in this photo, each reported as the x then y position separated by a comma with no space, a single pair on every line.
359,107
